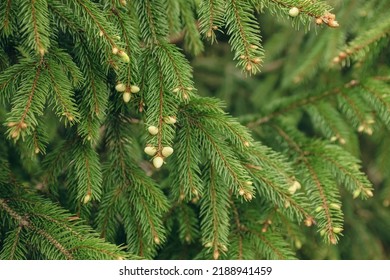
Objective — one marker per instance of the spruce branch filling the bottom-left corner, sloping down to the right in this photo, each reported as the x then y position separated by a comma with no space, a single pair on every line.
47,227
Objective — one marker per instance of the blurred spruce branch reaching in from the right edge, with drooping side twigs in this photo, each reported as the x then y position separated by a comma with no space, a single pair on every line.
352,100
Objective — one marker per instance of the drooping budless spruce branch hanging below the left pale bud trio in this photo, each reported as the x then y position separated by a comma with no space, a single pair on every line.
124,184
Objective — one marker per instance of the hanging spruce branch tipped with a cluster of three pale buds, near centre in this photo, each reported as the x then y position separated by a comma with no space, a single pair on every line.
163,93
